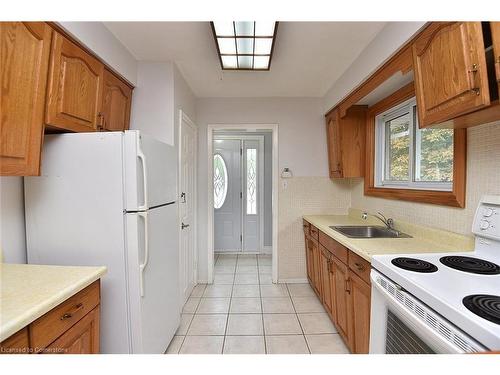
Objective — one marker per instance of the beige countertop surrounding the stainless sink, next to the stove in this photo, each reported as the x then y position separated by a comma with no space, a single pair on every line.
424,240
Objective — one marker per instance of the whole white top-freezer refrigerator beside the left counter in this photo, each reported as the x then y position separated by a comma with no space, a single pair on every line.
110,199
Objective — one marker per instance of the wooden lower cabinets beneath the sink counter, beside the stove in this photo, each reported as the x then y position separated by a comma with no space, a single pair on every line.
343,286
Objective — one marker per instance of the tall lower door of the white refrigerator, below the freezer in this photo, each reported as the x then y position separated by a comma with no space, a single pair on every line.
154,310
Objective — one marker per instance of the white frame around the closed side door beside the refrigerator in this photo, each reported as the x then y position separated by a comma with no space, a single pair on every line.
183,117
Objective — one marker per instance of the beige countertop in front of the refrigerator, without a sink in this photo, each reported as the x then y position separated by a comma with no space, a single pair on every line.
27,291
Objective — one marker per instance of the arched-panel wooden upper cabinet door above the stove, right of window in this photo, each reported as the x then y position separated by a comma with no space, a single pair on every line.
450,71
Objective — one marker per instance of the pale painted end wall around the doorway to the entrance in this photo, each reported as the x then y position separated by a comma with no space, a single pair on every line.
302,146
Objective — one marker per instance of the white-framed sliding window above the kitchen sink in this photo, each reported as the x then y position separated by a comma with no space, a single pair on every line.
409,157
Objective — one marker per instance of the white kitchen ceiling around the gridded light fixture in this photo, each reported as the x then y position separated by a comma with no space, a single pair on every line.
308,56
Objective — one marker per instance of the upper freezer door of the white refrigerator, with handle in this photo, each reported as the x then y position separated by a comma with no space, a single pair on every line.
150,171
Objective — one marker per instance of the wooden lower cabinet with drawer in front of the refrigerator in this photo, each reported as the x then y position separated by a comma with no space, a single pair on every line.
72,327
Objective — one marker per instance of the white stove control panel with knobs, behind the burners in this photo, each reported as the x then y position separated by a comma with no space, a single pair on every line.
487,218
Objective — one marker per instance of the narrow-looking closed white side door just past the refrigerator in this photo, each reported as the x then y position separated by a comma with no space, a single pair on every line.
187,207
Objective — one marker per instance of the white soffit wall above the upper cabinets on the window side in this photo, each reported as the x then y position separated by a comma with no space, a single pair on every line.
387,42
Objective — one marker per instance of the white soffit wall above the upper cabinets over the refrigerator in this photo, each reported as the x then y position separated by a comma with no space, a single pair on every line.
104,44
